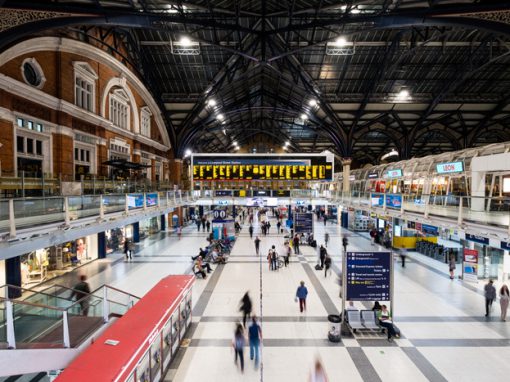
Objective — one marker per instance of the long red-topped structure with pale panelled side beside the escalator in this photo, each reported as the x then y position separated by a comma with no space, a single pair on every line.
139,346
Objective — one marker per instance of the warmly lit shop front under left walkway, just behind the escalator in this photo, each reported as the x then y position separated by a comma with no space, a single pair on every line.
47,263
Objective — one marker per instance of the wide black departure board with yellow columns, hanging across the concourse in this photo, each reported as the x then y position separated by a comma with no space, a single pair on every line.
267,167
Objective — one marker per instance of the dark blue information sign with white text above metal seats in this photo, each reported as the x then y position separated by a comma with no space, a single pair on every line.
368,276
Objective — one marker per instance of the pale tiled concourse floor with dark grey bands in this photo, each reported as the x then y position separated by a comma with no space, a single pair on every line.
445,334
